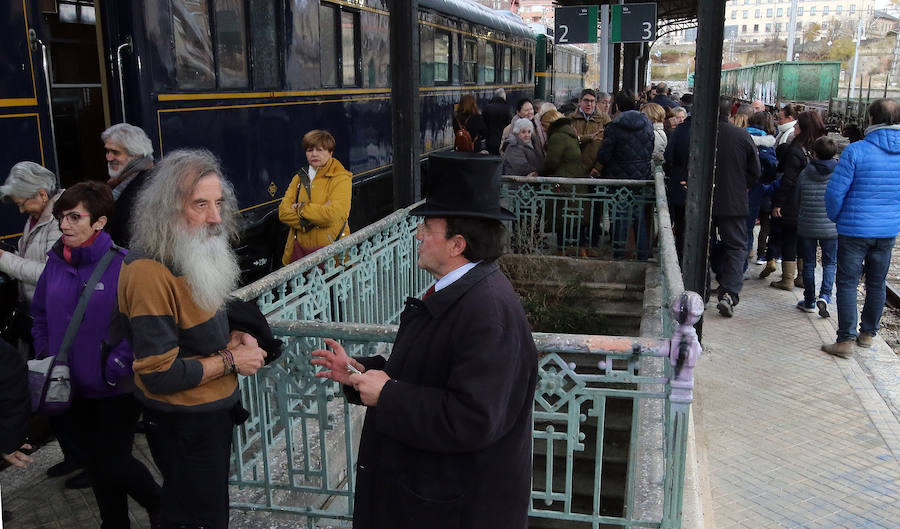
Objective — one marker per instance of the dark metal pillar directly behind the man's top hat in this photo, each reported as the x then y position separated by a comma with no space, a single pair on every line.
405,101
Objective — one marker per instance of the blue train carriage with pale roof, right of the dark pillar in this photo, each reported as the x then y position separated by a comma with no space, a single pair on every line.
468,48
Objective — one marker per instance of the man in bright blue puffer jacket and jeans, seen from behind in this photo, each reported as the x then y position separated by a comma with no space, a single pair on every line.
863,199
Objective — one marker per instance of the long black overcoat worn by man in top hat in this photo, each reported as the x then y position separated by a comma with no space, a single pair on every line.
449,443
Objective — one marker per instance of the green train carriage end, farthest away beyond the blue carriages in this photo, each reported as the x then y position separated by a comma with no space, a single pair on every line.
559,70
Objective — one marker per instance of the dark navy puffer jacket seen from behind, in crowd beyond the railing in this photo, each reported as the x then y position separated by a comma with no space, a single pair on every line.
627,147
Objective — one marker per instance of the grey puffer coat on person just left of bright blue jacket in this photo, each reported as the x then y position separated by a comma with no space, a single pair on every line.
812,220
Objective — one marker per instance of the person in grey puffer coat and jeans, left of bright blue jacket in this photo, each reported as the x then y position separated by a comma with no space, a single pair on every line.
814,229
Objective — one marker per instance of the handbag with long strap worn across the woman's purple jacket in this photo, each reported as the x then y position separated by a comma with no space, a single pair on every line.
49,379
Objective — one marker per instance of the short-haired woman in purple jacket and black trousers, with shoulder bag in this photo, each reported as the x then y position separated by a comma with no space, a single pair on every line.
104,412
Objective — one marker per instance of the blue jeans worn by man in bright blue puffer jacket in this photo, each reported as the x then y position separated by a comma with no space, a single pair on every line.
852,253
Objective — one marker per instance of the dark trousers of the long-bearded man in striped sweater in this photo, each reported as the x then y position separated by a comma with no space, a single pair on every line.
192,451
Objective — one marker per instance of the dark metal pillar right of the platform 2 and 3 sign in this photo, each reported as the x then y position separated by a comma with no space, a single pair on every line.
704,130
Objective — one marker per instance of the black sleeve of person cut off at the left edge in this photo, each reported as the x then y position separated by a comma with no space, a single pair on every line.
15,404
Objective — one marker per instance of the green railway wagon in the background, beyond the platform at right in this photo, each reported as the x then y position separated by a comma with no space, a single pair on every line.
780,81
